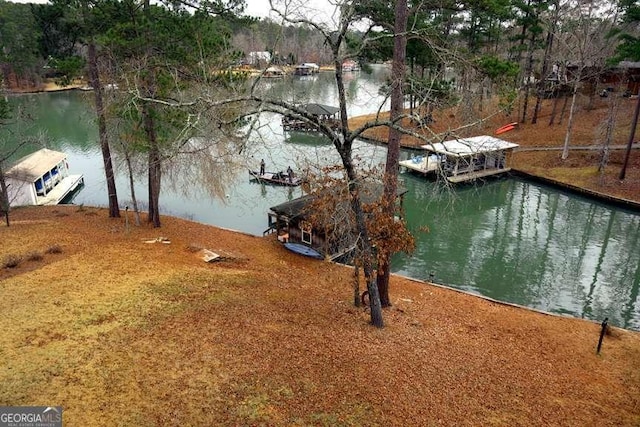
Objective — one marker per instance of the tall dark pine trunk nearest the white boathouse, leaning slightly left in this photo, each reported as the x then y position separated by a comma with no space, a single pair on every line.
94,78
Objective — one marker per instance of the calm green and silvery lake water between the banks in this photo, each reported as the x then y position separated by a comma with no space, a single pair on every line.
508,239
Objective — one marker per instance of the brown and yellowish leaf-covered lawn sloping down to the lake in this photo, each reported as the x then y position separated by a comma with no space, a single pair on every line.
123,332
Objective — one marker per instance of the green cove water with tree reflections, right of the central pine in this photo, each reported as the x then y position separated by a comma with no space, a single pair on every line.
528,244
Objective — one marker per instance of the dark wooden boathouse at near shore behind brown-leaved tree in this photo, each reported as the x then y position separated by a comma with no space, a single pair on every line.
332,235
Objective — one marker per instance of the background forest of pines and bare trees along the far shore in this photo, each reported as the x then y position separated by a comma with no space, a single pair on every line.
510,45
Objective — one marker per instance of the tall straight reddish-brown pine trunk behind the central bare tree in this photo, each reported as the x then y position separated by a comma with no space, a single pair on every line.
393,147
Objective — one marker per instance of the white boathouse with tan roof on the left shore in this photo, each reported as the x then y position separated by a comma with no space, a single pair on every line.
41,178
